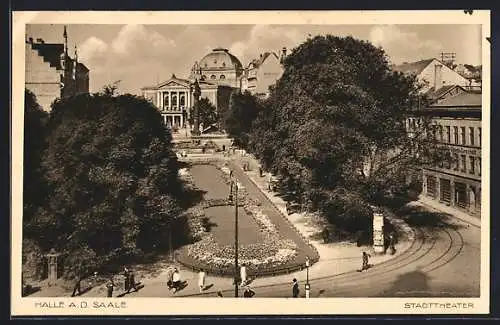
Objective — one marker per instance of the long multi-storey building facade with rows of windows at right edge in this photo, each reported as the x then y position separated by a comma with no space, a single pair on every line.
457,126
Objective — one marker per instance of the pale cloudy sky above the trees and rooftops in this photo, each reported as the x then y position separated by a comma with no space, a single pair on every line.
143,55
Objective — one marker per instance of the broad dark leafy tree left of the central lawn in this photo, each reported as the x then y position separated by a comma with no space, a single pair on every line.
112,176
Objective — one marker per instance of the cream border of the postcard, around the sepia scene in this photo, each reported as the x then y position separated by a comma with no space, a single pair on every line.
226,306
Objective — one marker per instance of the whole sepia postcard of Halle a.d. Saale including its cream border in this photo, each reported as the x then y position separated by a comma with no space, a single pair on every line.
318,162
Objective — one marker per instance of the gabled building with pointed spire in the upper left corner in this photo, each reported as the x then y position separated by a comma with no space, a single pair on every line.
51,73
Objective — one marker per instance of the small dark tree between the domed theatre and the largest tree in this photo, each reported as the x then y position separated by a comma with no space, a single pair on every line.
243,110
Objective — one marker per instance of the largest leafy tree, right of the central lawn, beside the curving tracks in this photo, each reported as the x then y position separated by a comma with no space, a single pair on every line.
334,127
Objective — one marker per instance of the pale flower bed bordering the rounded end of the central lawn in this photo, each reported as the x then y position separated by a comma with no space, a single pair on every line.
270,253
